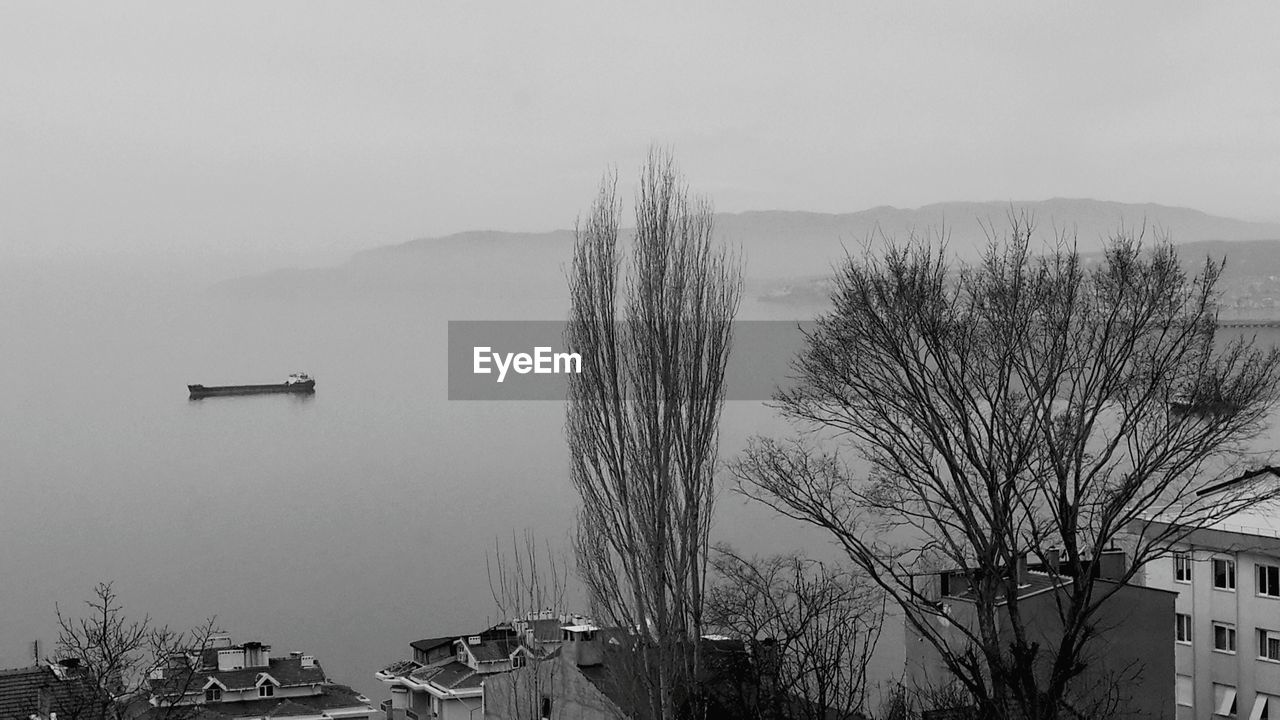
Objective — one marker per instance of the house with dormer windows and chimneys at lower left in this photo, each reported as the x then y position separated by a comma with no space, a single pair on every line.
244,682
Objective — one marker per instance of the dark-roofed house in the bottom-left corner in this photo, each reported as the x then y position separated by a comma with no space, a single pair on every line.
56,691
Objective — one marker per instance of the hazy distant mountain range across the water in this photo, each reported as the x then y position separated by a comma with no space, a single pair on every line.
785,252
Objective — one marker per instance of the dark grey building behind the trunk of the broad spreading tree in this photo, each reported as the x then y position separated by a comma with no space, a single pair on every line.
1130,660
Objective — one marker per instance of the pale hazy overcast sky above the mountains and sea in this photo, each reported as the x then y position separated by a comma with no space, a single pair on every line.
304,130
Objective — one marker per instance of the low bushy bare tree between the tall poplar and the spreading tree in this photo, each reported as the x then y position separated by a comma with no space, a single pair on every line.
812,630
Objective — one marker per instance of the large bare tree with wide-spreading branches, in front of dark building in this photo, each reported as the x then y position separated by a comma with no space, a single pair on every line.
1022,405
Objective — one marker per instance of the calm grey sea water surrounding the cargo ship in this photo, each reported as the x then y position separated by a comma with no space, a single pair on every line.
345,525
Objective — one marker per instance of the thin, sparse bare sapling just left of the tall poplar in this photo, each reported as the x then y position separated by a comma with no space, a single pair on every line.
529,584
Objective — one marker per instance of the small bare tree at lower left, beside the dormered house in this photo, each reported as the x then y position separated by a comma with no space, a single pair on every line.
120,659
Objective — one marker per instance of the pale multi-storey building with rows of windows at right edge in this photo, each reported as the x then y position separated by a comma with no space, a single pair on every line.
1227,631
